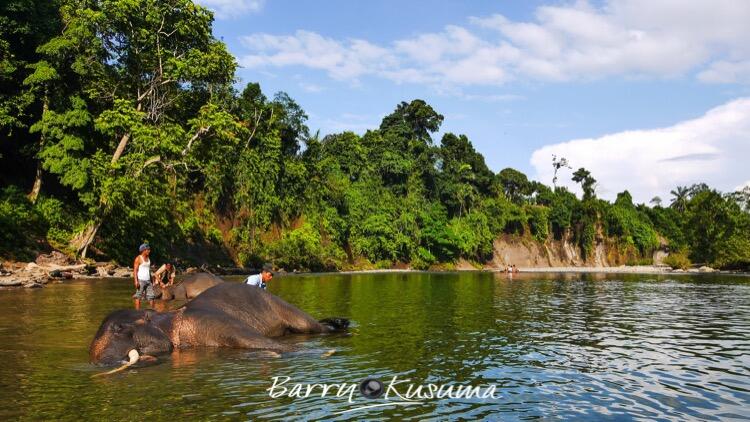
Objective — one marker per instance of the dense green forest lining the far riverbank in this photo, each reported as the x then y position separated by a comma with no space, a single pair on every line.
120,122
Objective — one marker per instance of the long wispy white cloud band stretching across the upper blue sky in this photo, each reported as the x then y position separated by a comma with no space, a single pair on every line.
631,38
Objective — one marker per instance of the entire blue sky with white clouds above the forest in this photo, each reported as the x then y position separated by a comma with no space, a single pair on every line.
646,94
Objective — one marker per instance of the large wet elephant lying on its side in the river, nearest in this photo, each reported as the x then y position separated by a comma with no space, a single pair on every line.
226,315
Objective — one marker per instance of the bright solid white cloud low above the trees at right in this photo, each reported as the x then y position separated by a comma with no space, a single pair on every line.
712,148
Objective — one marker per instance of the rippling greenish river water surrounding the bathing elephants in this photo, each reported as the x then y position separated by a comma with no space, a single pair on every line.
575,347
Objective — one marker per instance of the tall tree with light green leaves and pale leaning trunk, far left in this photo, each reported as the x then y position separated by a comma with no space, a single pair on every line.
137,63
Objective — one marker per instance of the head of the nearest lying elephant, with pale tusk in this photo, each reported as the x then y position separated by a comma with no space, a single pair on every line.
126,336
